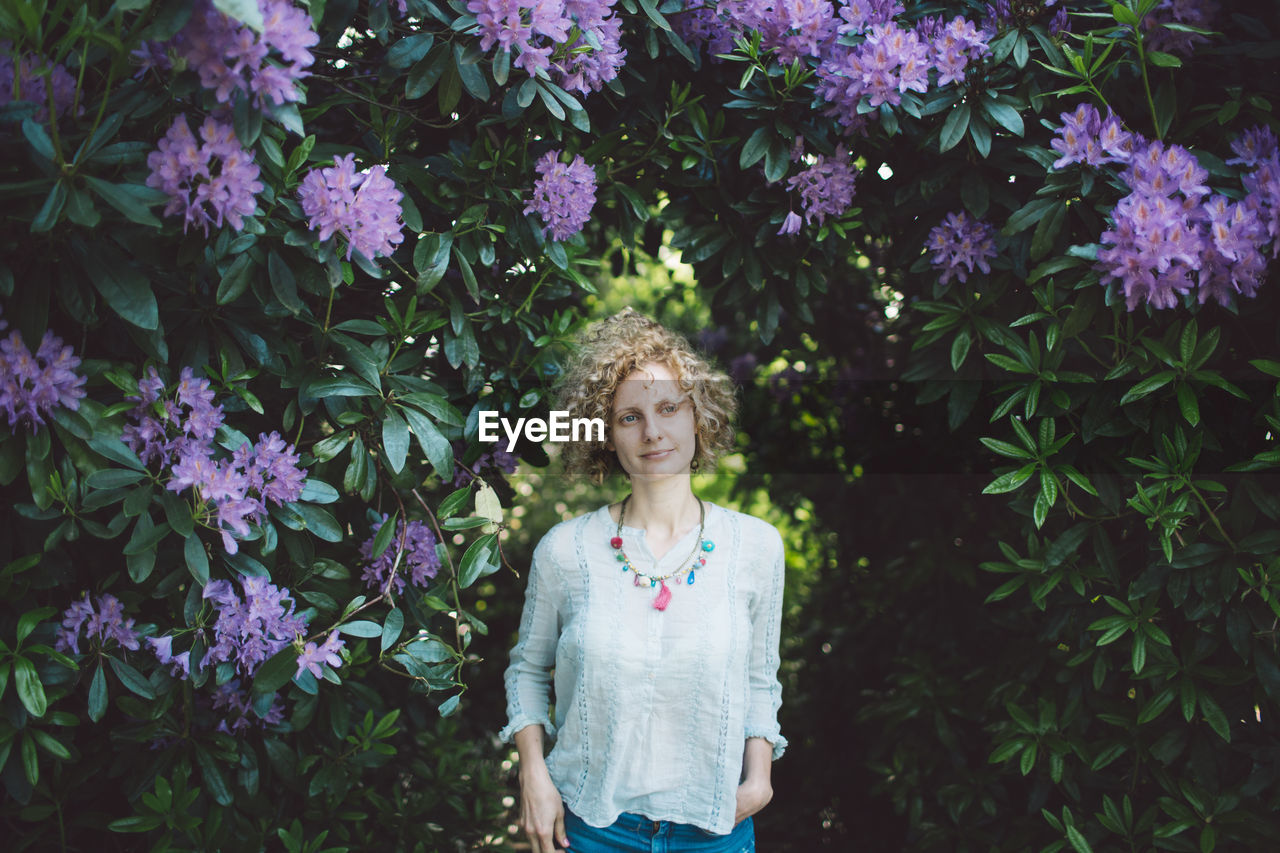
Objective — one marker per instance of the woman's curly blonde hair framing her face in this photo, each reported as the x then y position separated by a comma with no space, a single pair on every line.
614,349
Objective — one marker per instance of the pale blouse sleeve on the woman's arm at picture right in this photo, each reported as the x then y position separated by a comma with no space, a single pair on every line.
765,691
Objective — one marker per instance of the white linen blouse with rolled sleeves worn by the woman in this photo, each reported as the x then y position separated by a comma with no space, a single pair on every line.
653,708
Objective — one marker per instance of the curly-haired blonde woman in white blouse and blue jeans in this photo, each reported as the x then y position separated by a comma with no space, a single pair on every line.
660,617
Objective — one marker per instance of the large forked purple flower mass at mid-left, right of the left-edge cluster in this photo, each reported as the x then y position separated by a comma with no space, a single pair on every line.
179,434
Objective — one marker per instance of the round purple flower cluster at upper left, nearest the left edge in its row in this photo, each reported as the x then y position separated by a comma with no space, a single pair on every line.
207,184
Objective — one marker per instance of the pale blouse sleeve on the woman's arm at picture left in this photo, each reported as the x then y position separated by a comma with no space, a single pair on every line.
529,677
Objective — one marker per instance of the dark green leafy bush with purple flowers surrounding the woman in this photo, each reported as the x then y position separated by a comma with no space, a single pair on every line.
280,258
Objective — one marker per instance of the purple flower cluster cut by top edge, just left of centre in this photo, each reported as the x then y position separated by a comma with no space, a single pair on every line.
541,30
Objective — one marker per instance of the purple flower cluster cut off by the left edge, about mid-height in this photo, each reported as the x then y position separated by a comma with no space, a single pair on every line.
33,385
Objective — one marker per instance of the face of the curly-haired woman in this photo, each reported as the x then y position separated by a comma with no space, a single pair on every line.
652,427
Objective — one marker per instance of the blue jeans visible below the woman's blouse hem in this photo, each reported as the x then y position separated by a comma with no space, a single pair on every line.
638,834
